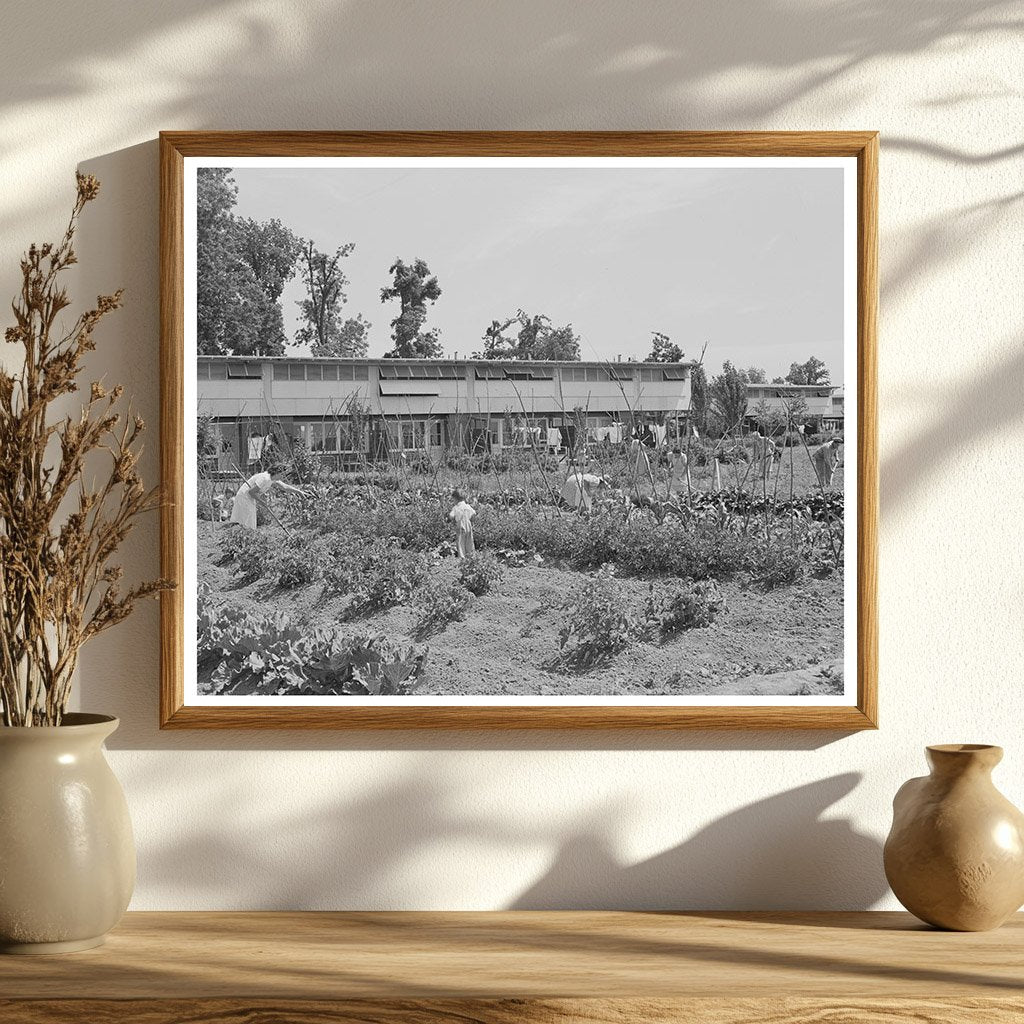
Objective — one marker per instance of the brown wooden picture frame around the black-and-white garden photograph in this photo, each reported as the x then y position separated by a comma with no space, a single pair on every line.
179,711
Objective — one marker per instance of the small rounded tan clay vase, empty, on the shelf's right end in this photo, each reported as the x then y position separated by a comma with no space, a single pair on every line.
955,857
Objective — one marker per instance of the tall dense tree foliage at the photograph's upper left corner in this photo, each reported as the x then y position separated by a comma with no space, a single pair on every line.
242,267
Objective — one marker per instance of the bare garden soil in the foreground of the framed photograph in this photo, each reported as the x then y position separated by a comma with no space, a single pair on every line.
783,643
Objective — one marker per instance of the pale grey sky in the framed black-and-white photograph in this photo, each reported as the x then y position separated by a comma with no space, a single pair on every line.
749,261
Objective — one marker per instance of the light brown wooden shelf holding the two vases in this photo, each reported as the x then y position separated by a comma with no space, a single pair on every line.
524,967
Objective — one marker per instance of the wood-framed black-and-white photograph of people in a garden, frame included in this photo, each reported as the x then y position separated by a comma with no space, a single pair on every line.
520,431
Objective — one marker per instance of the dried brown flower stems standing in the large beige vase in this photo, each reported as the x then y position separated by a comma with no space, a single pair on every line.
58,533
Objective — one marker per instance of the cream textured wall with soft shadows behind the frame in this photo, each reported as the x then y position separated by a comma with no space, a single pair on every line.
632,821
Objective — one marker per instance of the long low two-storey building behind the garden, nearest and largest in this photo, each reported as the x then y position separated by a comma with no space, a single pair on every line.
354,409
